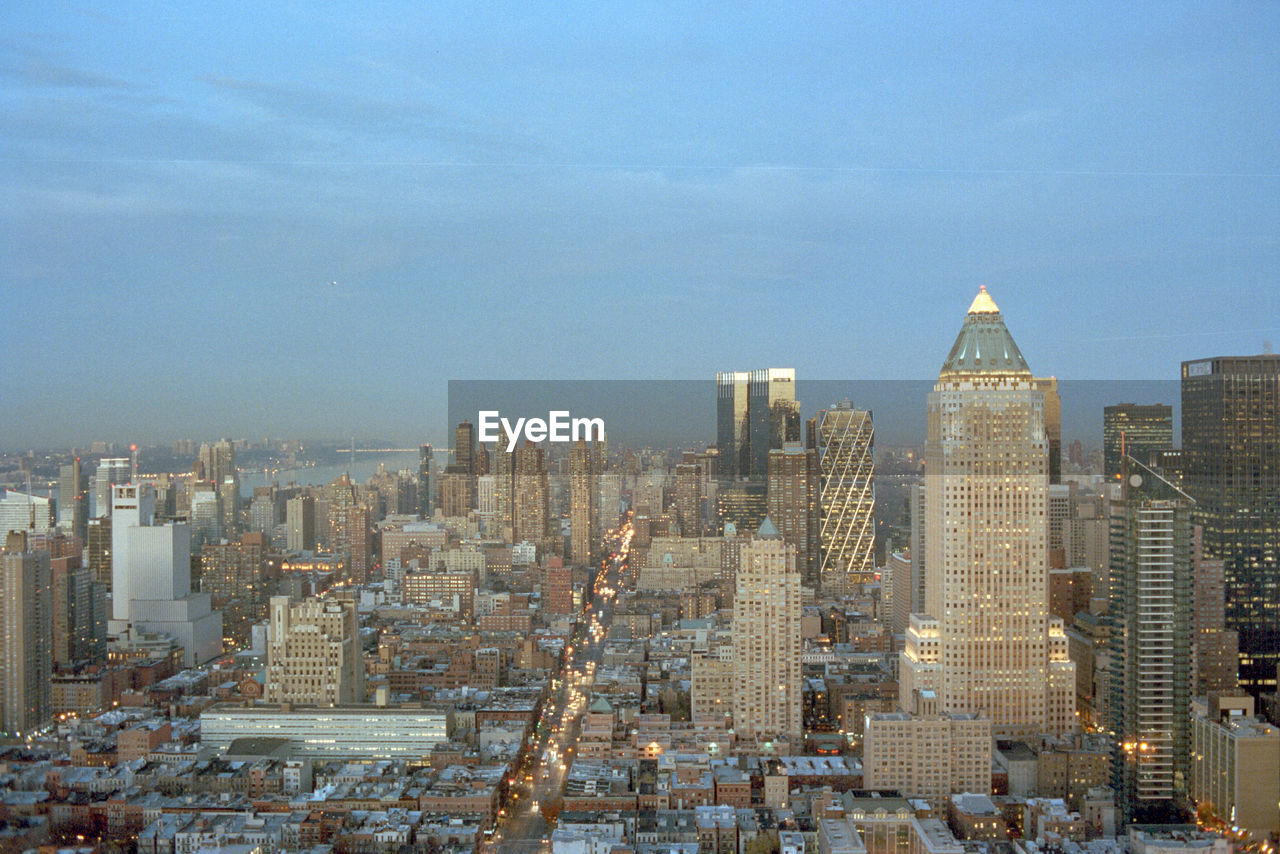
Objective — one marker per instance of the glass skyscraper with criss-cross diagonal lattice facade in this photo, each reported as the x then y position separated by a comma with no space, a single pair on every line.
845,441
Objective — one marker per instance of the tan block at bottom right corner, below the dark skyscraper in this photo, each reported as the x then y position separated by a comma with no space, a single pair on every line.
1236,764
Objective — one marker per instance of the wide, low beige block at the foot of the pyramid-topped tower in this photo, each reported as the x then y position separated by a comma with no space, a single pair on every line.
929,755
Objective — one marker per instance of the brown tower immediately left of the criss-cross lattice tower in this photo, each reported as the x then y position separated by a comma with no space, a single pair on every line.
794,505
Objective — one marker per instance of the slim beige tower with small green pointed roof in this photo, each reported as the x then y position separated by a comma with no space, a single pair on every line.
767,692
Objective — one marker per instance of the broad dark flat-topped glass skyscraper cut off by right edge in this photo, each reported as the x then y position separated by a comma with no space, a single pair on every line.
1232,469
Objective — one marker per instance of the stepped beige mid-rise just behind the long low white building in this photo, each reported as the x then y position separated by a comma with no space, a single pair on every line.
314,654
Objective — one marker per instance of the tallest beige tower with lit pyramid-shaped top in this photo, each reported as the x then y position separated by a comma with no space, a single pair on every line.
988,643
